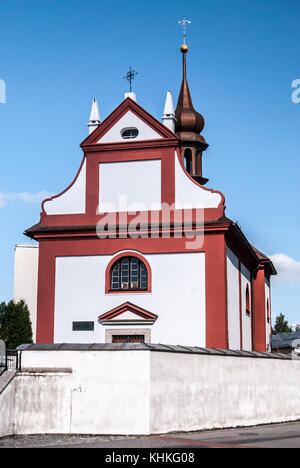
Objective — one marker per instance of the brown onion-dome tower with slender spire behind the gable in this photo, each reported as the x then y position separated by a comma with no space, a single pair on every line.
189,124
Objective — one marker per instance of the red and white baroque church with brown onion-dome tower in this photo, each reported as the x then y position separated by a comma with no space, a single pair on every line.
139,249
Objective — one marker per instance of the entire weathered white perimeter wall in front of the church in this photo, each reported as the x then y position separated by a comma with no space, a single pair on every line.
143,392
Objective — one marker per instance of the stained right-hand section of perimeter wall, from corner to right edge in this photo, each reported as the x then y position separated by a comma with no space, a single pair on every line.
192,392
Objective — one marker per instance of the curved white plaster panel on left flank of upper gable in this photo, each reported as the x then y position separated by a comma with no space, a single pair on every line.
73,200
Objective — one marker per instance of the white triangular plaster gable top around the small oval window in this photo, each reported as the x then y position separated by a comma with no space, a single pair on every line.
129,120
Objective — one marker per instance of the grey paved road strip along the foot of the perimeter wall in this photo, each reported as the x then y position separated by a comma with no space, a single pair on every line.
285,435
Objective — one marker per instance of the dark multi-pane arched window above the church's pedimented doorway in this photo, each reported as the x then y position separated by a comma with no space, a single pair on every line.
129,274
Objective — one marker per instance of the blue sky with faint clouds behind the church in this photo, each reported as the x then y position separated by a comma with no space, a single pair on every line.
56,56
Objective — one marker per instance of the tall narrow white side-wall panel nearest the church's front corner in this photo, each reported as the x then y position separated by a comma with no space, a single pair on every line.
233,295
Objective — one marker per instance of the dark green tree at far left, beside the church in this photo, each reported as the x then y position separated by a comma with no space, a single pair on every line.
15,325
